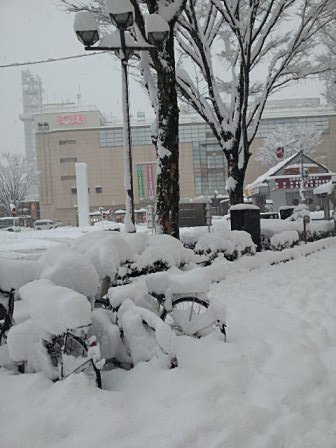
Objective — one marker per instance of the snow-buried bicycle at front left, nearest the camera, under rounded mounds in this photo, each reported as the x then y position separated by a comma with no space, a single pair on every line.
42,342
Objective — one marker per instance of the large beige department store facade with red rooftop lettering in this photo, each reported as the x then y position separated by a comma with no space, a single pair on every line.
80,134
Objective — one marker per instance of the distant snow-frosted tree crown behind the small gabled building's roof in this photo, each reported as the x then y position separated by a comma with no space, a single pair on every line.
291,141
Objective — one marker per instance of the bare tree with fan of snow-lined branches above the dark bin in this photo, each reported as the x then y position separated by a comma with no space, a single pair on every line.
239,52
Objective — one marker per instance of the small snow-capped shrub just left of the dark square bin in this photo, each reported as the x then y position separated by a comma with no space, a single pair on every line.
230,244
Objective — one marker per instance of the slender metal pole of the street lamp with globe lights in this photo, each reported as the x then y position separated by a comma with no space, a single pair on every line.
128,170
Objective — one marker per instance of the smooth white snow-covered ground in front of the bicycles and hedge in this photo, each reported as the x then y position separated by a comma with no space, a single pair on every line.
271,385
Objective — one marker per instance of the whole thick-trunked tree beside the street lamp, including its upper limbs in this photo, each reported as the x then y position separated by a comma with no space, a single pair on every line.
158,70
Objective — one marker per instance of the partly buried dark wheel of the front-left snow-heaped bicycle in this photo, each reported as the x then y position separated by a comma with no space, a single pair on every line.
75,359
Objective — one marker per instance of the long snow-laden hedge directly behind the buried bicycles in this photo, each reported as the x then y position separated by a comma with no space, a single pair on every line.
86,261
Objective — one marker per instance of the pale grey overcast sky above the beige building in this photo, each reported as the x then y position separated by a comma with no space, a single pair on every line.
36,29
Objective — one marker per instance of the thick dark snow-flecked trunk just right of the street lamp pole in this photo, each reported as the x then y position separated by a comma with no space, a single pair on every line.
167,144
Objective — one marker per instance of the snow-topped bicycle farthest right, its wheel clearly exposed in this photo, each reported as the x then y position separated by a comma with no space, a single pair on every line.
176,299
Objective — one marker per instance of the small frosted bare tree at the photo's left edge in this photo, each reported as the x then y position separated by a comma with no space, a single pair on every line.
15,180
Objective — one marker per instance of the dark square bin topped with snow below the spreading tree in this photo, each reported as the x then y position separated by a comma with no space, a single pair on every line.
247,217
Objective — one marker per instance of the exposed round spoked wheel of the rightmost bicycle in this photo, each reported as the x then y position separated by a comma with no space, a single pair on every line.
189,316
